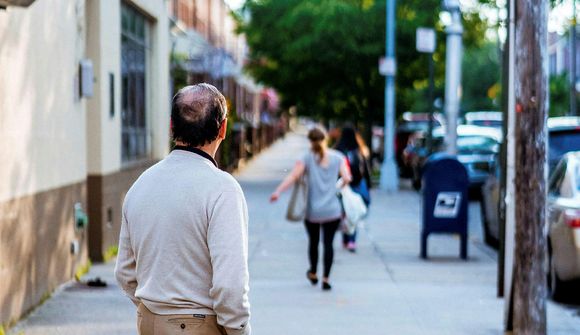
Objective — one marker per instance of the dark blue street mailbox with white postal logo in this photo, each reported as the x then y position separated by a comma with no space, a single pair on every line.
445,199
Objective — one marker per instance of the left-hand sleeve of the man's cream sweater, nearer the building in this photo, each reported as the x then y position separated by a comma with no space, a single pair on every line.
126,264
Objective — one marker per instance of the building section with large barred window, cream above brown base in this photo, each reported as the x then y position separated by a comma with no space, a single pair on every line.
128,118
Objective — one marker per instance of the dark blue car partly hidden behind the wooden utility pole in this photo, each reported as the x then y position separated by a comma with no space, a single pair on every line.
563,137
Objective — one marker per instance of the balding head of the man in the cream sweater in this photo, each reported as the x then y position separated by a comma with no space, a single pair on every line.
197,113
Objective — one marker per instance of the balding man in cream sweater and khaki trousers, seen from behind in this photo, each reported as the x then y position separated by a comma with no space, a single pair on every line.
183,248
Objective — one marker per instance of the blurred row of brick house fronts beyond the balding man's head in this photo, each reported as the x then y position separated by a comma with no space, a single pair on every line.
206,48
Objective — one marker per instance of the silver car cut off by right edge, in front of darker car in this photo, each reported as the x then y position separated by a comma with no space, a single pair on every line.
563,220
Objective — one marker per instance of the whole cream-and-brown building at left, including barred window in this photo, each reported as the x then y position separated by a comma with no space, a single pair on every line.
84,109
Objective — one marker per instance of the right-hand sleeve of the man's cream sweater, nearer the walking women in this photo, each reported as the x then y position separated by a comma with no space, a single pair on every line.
228,247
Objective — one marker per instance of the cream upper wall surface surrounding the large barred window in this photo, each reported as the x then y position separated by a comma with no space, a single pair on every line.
104,48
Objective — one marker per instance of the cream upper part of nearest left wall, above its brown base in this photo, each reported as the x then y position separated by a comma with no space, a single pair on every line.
42,126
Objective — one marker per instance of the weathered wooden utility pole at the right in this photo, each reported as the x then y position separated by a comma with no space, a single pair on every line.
531,92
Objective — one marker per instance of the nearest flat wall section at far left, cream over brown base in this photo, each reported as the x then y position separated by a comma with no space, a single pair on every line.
42,150
